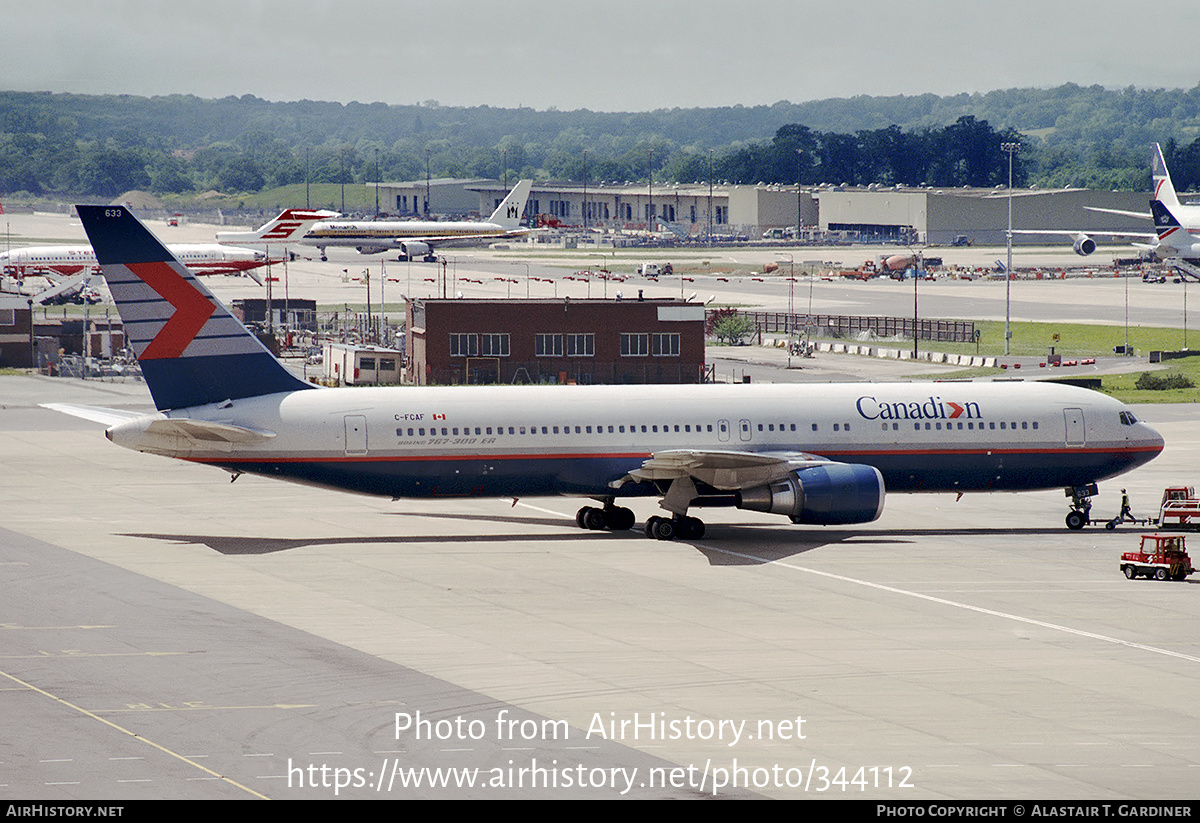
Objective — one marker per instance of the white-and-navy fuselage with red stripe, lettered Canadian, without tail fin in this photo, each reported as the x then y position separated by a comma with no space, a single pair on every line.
533,441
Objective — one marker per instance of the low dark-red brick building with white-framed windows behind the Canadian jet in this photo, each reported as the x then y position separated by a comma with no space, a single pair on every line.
555,341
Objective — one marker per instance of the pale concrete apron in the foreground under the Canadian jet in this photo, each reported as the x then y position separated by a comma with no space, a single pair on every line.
173,635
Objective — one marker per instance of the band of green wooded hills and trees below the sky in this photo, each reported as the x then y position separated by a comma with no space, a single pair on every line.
105,146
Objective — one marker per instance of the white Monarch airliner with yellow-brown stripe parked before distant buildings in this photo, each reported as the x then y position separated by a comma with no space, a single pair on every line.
417,239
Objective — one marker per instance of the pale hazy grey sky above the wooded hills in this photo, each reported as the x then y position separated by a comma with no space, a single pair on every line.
609,56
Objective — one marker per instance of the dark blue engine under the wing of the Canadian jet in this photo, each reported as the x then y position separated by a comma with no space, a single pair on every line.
830,495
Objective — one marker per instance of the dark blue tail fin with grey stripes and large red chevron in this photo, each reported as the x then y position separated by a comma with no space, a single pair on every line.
191,350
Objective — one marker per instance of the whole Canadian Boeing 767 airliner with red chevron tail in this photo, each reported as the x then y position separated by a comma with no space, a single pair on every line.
819,455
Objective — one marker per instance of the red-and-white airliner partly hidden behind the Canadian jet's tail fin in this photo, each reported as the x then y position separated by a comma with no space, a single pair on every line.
220,259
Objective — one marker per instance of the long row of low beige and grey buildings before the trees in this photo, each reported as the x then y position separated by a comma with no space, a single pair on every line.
886,214
